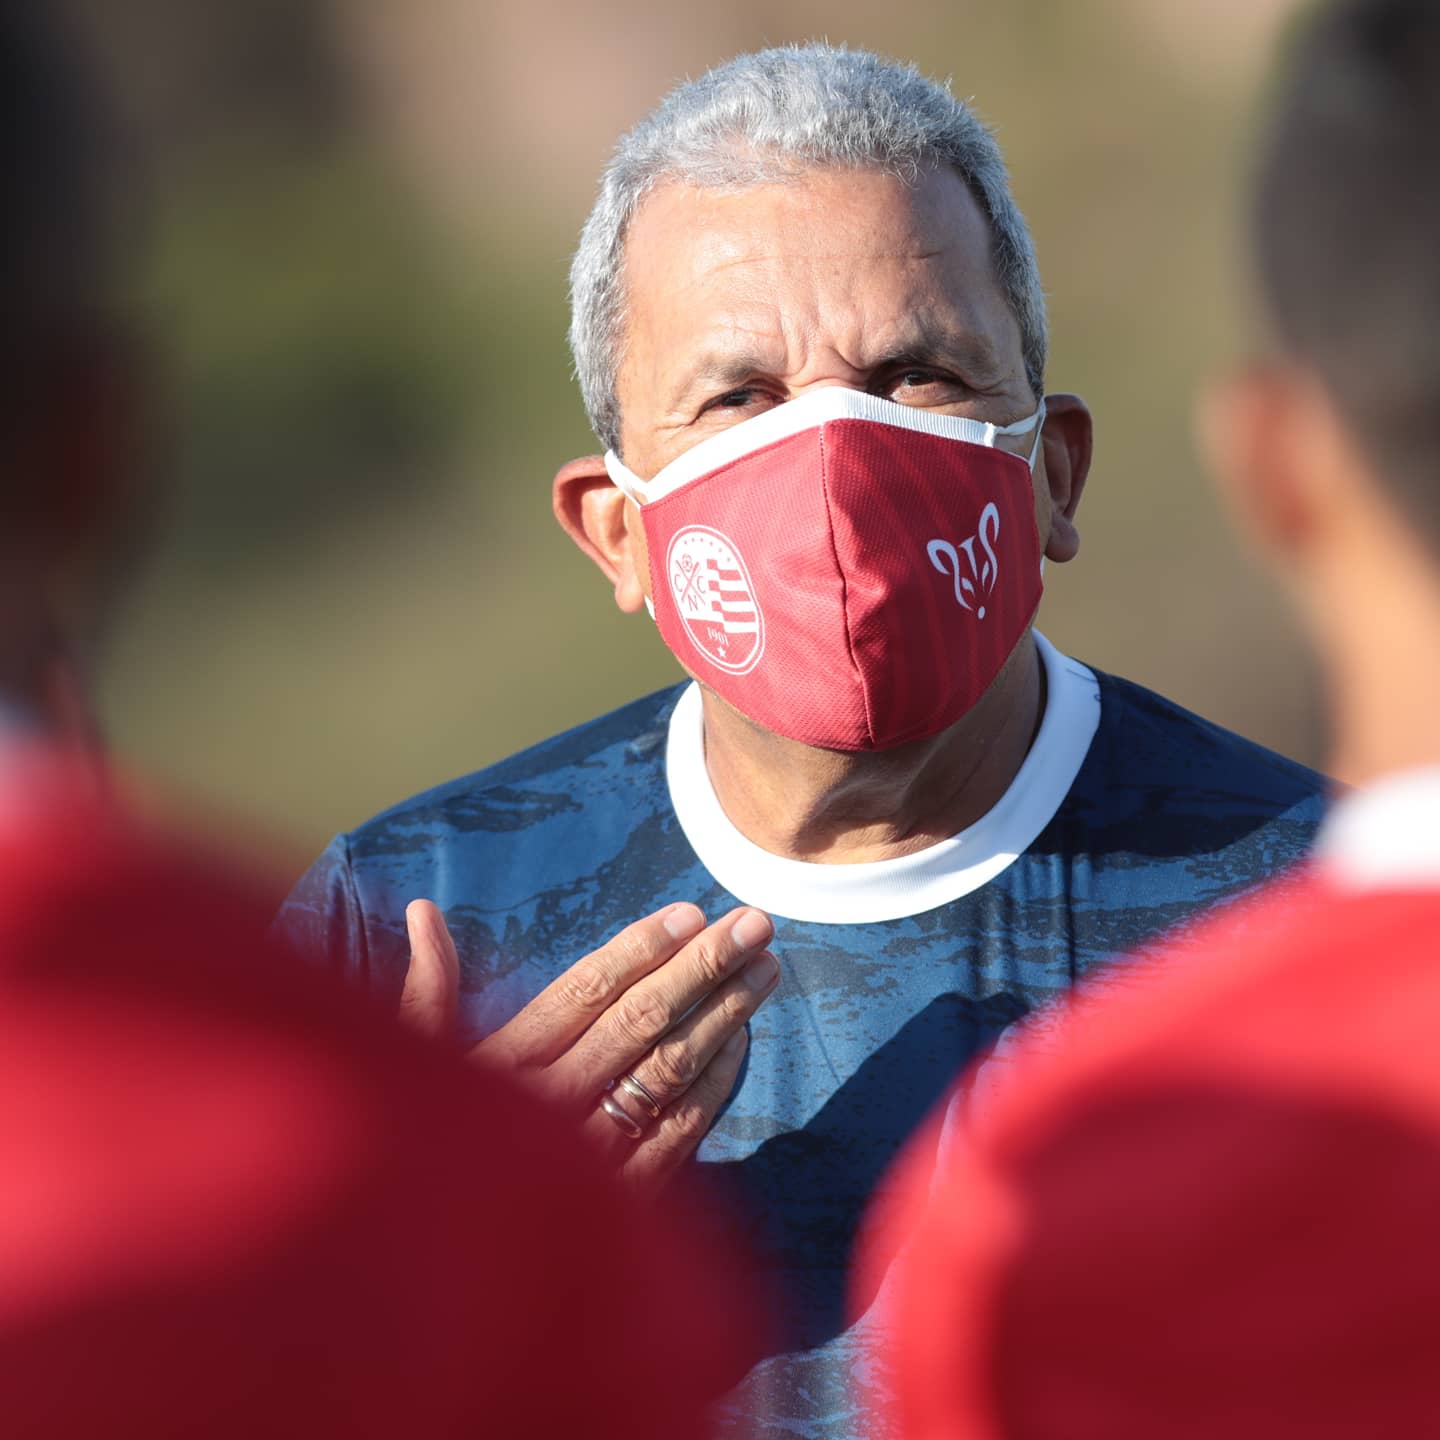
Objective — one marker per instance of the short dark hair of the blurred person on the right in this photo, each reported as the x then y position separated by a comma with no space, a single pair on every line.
1347,228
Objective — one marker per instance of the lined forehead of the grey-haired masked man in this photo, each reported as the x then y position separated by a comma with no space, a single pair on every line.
731,284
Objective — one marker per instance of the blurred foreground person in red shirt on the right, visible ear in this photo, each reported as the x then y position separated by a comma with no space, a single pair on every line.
1209,1206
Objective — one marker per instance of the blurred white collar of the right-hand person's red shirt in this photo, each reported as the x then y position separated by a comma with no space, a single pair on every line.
1385,836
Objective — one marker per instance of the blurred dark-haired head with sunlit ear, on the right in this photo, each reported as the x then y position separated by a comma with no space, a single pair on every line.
1330,446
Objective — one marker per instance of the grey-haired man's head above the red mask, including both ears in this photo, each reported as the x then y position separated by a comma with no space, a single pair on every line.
804,218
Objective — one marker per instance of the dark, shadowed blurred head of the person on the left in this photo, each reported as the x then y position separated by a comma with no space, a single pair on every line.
73,486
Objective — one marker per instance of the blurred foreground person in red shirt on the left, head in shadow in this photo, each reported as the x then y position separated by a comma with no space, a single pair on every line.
231,1197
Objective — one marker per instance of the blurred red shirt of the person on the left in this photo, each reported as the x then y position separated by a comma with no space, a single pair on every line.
238,1202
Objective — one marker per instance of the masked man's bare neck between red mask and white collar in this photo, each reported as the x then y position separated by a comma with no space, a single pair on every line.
837,809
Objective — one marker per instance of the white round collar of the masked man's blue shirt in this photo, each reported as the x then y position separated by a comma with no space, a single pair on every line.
889,889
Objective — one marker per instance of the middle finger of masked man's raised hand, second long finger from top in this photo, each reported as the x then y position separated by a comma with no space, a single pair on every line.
653,1007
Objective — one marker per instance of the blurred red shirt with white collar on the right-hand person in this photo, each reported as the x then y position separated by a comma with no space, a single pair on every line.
1205,1205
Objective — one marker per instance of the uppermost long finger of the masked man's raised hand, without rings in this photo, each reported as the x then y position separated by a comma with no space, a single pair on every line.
572,1003
